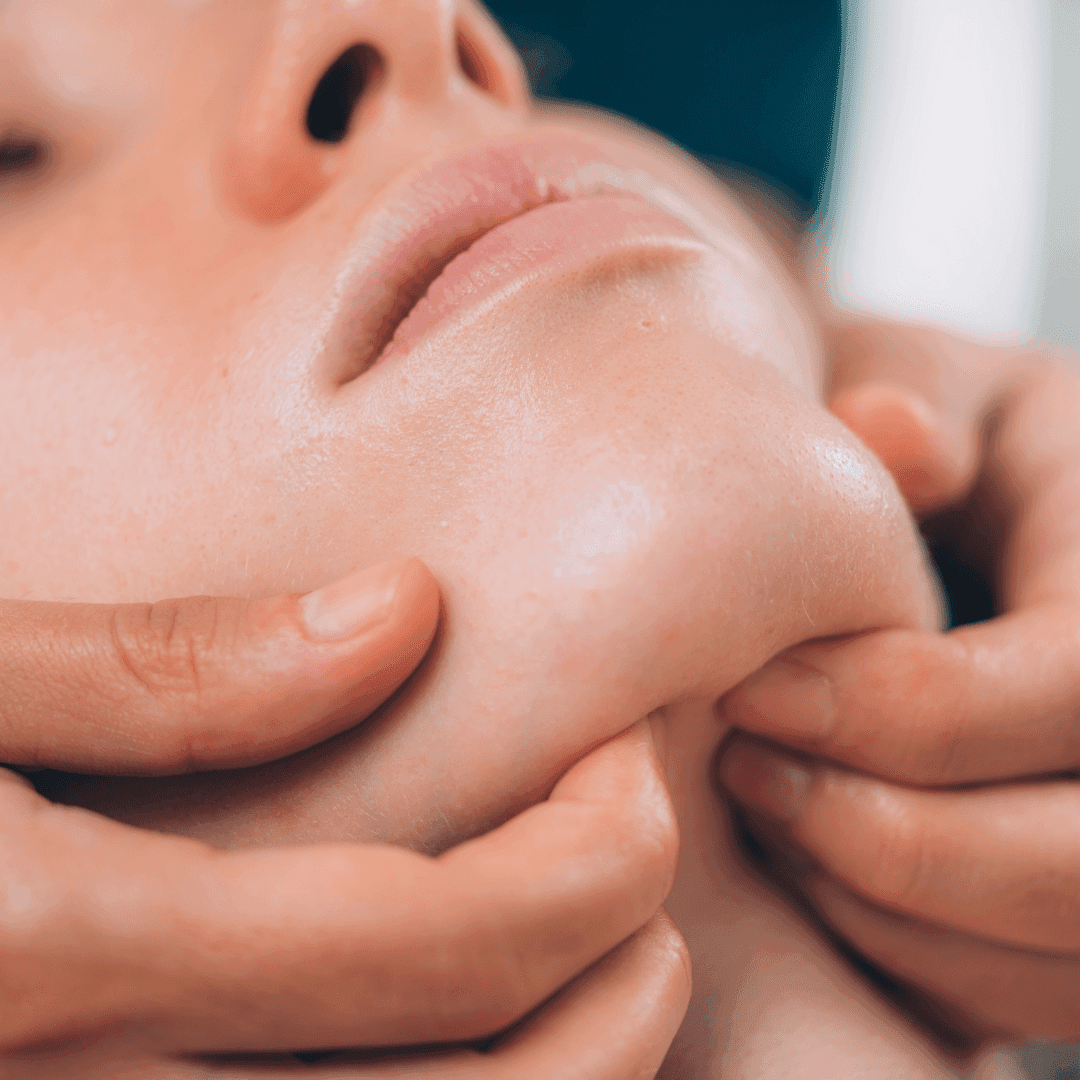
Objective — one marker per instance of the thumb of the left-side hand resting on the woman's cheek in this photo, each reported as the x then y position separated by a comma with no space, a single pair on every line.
206,683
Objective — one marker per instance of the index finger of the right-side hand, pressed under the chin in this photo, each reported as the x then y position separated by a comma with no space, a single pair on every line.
991,701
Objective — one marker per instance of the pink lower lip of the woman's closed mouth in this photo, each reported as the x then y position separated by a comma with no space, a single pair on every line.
544,245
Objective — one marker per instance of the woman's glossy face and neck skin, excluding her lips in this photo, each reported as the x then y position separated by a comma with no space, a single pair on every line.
623,476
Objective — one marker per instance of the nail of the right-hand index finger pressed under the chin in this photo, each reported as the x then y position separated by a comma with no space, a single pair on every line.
789,699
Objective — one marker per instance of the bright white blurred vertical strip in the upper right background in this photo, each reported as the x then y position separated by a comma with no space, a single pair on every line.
937,204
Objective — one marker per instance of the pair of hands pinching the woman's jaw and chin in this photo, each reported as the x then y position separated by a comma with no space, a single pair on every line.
929,786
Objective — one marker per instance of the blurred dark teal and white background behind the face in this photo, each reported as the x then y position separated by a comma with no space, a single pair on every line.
931,146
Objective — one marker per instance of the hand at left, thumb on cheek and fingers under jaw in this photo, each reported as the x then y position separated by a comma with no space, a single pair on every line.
128,952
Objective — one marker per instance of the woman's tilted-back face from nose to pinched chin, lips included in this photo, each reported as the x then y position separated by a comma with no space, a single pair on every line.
221,372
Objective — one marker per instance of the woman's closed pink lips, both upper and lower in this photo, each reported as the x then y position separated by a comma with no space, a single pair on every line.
479,226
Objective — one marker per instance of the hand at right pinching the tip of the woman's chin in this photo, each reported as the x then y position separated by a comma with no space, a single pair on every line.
944,831
